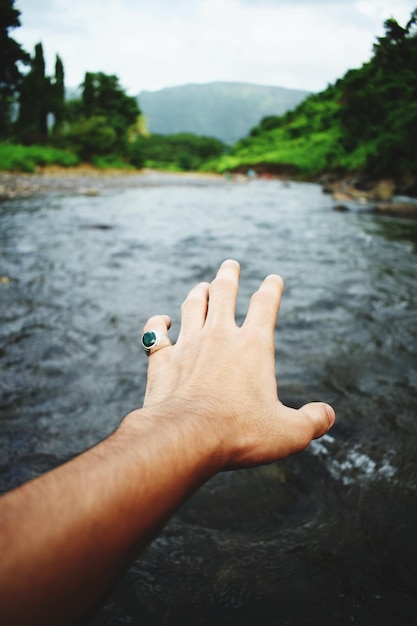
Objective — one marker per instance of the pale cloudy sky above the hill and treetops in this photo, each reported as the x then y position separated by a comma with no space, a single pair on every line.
151,44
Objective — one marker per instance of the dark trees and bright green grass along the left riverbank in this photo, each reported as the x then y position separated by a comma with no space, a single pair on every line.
103,127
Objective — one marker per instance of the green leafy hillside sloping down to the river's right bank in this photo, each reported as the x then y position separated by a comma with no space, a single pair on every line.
366,121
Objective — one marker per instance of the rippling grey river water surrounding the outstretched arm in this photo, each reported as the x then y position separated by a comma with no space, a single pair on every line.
327,537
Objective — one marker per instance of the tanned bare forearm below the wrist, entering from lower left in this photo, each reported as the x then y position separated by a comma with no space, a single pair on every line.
70,533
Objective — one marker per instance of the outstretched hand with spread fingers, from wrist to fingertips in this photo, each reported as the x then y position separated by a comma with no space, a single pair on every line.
223,376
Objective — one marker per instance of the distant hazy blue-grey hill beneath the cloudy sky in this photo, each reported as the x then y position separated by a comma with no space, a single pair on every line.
224,110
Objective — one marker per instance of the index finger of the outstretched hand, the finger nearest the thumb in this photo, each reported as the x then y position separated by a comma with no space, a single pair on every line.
264,304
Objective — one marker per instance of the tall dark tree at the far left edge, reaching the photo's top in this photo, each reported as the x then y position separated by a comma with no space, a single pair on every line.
11,56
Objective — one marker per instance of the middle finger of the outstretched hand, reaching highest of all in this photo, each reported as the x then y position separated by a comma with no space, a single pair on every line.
223,293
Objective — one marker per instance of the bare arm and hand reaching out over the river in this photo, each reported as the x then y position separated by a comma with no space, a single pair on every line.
211,404
